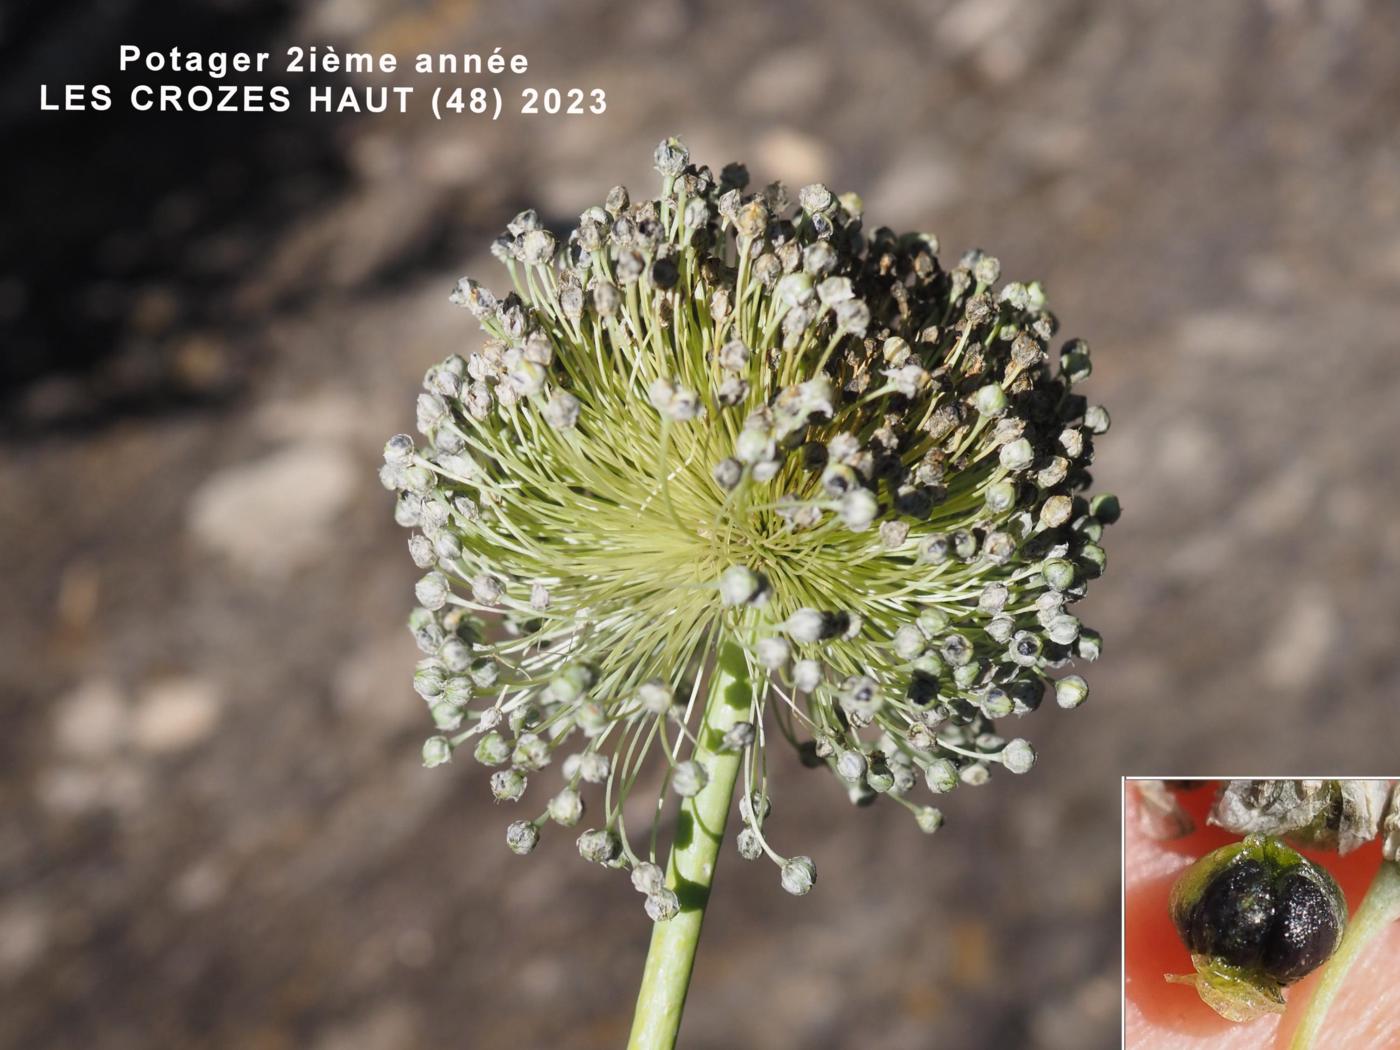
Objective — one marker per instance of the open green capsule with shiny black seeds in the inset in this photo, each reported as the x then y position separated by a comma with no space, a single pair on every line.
1256,918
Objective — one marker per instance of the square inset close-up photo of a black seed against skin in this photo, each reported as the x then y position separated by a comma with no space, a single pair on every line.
1261,915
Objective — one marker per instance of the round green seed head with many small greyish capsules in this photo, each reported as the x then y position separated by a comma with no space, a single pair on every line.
717,422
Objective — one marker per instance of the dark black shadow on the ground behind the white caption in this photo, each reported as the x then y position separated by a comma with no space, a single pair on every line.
117,271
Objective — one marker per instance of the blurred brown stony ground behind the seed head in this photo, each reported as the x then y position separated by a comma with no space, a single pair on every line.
215,828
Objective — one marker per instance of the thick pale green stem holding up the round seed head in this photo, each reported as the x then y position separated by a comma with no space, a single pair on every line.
694,855
